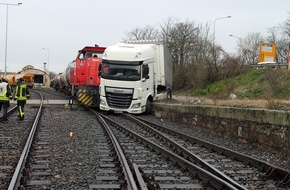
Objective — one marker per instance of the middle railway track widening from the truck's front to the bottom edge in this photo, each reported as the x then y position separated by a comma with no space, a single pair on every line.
158,168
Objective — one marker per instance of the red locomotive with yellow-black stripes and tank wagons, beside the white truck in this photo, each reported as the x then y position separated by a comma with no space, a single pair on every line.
81,78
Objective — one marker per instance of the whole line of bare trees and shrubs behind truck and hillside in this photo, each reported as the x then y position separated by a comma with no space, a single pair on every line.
198,60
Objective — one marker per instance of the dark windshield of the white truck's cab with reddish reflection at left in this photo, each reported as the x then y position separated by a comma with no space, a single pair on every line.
121,72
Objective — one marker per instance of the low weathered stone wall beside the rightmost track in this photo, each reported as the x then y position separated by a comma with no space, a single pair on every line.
269,128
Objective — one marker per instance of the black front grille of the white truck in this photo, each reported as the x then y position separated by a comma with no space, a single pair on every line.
119,98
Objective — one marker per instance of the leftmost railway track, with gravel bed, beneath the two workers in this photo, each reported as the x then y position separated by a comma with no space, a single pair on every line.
15,154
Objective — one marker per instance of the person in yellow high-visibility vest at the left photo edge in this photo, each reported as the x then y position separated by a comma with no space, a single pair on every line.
5,97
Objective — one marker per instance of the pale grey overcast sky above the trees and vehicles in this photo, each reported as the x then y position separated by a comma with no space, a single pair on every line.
65,26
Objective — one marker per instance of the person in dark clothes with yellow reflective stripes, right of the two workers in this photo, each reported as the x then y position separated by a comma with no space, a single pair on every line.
21,95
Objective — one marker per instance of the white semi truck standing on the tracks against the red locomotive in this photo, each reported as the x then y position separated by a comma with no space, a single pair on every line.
133,75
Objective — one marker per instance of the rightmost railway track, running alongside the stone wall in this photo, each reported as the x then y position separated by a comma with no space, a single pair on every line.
241,171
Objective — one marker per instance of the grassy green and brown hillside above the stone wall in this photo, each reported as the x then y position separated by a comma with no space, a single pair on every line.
263,88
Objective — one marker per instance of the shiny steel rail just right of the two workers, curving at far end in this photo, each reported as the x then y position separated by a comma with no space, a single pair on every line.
15,181
